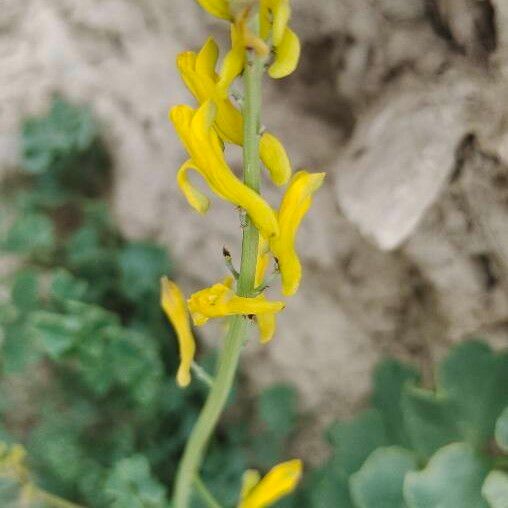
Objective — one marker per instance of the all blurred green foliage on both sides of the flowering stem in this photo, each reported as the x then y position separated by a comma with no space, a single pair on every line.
88,363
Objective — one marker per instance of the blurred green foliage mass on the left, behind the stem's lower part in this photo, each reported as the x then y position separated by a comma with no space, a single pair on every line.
87,358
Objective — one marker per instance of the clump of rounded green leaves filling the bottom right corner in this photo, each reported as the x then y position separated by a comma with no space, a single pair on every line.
421,448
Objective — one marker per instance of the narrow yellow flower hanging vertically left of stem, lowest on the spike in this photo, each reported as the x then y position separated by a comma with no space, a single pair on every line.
173,304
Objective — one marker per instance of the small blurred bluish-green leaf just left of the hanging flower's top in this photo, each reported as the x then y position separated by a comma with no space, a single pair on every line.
141,267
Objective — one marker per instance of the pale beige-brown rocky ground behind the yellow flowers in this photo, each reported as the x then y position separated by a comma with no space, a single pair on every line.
404,103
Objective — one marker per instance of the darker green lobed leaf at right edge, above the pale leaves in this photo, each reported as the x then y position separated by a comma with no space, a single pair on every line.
476,379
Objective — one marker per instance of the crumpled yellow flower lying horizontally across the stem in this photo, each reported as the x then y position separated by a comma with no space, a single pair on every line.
220,300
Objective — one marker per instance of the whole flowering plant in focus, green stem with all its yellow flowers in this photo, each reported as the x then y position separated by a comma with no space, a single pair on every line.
260,40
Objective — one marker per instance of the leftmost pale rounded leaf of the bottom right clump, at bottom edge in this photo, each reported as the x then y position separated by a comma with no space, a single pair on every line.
379,482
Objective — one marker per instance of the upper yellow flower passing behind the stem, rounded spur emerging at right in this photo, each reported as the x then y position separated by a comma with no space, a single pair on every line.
199,74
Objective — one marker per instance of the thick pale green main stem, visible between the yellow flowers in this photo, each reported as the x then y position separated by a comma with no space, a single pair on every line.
233,342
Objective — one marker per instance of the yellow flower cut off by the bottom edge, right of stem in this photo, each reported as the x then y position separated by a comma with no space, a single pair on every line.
279,482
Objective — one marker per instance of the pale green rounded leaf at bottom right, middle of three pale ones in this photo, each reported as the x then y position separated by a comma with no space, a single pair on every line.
453,478
